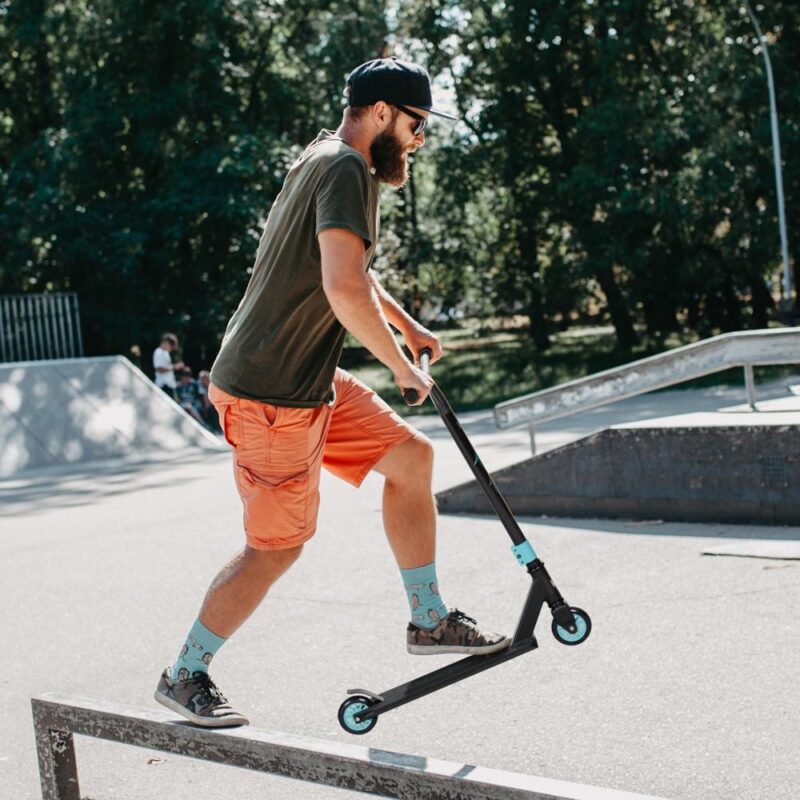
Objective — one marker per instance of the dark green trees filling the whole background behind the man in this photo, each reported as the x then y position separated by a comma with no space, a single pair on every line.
613,161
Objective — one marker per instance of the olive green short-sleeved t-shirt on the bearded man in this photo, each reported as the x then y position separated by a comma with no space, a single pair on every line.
283,342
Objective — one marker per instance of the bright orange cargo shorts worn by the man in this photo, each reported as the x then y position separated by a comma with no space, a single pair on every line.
278,452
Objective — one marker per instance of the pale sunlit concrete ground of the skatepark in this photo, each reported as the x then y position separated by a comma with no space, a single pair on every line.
687,688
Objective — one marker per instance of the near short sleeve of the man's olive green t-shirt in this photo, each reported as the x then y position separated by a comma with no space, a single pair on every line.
343,198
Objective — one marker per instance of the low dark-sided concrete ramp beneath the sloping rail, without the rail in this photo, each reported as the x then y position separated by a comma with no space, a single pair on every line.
681,472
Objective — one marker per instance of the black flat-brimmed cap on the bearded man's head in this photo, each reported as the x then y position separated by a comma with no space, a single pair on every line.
396,82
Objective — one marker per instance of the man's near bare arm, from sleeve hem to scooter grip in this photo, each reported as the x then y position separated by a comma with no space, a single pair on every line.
356,304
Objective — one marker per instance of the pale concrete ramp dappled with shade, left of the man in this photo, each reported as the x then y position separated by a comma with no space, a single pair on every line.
70,411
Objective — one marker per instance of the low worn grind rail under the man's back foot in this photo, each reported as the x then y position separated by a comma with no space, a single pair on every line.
363,769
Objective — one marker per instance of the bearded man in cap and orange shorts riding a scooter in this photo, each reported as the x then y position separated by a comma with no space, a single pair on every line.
286,408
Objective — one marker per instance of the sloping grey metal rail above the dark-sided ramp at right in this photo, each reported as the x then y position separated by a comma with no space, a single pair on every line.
746,349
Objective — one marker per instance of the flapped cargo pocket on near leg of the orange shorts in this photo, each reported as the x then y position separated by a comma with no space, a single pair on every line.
275,506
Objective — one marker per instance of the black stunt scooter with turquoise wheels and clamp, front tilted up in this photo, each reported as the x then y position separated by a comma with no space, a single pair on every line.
359,712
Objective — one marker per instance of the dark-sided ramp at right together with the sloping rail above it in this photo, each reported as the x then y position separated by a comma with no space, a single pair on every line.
736,464
